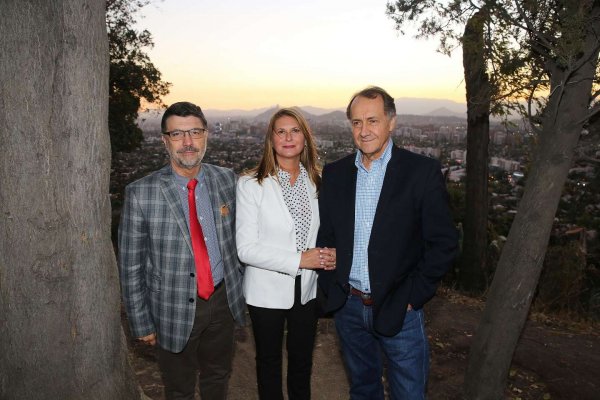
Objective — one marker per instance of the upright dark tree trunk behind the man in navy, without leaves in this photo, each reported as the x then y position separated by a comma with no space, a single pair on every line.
472,273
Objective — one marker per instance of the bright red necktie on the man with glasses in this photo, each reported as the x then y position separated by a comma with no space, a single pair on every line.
203,274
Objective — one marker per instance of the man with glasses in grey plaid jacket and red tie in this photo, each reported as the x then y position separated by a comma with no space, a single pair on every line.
180,275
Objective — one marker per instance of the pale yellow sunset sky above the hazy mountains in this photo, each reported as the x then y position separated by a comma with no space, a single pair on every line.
253,54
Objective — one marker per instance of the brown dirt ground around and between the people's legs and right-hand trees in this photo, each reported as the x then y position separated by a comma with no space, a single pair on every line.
554,359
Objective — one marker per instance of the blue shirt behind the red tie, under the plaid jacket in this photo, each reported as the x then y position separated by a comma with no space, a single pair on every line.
206,219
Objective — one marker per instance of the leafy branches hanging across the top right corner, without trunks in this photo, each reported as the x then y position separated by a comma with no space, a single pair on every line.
520,39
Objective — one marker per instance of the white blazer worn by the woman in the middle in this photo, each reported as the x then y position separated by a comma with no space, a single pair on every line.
266,243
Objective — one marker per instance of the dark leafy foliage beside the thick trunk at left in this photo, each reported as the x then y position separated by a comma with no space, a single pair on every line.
133,77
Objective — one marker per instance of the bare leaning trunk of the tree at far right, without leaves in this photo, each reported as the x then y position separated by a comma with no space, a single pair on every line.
522,258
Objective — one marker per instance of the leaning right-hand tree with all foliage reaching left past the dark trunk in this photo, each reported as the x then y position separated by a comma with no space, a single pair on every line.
547,52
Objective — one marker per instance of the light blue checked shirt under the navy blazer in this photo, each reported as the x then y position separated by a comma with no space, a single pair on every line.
368,188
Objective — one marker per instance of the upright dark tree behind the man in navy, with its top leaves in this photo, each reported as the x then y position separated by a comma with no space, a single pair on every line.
437,19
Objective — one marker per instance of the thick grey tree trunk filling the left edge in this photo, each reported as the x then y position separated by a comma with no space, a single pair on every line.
60,331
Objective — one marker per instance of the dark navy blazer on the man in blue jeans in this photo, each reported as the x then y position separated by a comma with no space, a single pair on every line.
413,239
